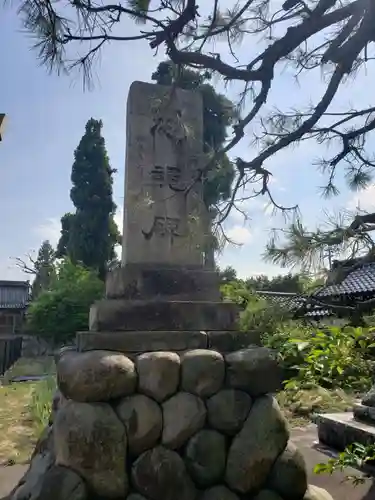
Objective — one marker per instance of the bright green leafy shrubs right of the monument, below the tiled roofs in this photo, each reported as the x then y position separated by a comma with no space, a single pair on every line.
327,357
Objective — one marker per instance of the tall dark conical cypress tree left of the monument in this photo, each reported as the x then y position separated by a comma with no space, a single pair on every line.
89,235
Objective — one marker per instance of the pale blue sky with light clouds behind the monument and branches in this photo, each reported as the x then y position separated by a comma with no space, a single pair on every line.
46,119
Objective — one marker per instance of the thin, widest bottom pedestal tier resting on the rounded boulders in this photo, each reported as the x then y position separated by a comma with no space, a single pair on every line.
141,341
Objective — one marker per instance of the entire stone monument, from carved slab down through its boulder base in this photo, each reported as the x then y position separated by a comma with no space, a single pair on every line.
164,399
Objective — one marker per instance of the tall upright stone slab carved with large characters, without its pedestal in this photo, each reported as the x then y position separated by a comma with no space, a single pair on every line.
163,195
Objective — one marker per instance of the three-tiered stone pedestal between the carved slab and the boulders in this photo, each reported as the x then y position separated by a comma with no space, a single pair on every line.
168,308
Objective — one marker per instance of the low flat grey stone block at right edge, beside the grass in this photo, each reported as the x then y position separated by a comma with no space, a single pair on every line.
339,430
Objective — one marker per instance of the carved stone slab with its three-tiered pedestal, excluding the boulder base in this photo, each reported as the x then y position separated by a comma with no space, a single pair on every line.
163,291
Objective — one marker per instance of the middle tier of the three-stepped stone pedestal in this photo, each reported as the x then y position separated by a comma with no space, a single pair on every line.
132,315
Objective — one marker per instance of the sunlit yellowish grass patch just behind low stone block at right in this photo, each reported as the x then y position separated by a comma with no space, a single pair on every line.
300,405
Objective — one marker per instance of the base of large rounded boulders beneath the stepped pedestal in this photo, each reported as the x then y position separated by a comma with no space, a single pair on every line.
194,426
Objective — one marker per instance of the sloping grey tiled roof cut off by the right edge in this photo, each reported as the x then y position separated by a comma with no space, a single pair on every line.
359,281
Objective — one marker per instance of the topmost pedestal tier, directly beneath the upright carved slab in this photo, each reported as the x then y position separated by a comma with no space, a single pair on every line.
135,282
